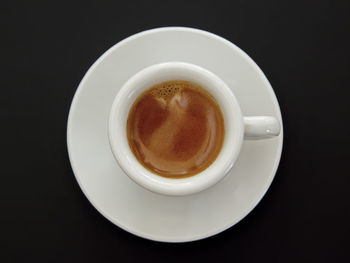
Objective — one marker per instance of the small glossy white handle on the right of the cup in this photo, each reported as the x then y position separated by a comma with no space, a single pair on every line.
261,127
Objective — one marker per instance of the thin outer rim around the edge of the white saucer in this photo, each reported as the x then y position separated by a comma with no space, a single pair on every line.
165,238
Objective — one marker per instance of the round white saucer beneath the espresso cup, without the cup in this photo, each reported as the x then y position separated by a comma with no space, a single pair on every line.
139,211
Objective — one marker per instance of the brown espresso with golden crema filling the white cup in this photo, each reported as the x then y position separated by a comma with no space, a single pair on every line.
175,129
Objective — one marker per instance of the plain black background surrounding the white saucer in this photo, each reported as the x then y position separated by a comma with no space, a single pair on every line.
303,48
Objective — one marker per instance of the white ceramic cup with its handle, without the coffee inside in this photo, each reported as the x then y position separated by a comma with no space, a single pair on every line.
237,128
